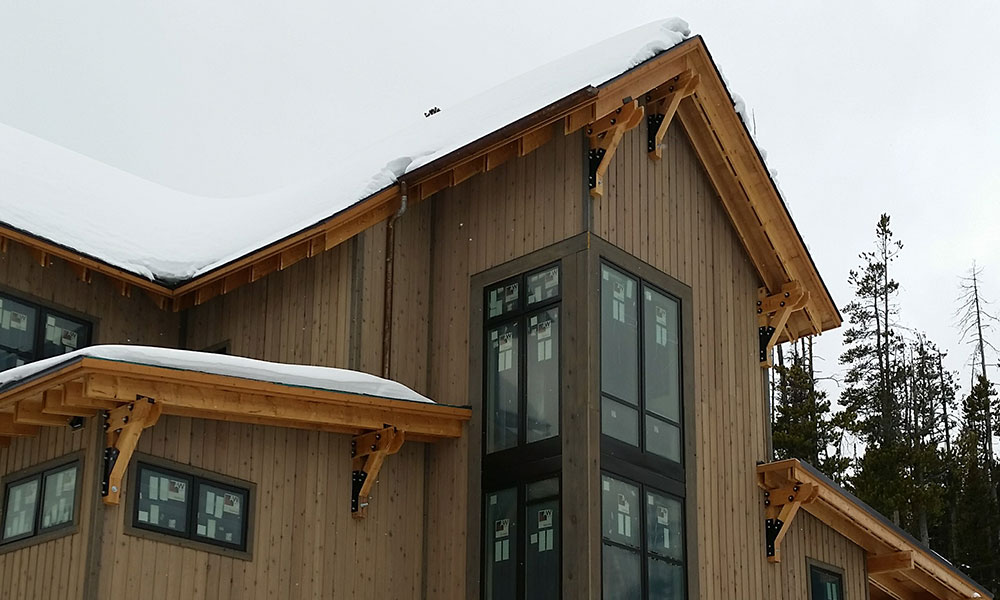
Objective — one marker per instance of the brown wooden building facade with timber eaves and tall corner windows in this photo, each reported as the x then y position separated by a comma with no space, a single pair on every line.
521,246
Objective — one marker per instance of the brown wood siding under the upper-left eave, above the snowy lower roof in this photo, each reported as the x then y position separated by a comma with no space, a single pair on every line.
117,319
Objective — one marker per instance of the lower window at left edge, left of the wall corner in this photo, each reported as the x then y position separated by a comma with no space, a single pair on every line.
40,502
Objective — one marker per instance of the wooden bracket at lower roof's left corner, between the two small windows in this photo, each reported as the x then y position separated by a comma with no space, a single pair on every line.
123,425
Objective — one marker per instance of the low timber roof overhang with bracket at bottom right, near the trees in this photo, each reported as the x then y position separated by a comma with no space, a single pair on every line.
899,566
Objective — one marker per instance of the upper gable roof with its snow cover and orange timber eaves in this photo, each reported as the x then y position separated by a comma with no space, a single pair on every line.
186,249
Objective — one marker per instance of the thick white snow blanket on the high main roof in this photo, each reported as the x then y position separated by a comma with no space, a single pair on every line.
160,233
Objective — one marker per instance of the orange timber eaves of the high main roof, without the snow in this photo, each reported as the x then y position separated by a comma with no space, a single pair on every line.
718,133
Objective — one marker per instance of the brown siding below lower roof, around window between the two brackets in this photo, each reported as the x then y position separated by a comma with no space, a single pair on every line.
305,543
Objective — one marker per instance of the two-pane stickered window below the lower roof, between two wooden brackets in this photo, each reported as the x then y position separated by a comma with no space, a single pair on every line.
194,506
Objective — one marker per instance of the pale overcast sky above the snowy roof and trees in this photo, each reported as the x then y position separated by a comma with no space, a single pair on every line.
862,107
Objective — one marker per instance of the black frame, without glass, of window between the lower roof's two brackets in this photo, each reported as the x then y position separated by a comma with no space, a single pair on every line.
196,477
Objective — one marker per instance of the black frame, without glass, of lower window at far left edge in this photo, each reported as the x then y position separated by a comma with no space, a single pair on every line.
40,472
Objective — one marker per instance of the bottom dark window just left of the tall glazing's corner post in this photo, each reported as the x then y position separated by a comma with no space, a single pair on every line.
522,541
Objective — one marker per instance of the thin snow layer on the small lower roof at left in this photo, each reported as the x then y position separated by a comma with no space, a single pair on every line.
322,378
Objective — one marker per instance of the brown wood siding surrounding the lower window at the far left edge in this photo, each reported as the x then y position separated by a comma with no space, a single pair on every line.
56,568
